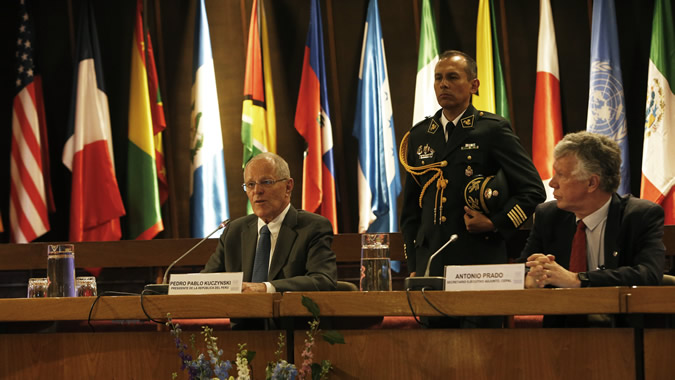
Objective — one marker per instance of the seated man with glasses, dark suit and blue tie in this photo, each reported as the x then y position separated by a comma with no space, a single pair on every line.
278,248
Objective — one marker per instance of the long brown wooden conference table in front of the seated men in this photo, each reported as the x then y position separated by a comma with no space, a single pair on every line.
50,337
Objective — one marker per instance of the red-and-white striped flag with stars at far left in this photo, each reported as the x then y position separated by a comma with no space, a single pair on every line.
30,190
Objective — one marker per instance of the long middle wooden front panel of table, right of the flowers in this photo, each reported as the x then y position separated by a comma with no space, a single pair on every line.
480,354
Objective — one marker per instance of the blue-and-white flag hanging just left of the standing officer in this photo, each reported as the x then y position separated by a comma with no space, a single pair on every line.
379,181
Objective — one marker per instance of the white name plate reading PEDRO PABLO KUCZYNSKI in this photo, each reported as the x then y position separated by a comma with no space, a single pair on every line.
206,283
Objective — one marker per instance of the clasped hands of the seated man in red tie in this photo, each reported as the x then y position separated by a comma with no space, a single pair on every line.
544,270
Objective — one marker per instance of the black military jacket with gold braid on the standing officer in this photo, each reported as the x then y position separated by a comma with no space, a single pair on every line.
481,143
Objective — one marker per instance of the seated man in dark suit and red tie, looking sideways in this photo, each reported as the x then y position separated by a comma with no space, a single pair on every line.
591,236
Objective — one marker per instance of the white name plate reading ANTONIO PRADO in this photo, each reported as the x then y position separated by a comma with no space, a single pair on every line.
485,277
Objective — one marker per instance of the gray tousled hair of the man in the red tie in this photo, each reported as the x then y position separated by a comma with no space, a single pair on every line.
596,155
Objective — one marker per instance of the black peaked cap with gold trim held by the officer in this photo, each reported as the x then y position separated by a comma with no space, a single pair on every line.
487,194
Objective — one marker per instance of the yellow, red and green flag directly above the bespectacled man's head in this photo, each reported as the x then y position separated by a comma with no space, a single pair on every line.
258,126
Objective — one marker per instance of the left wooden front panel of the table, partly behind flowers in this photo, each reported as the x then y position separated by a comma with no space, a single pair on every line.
117,355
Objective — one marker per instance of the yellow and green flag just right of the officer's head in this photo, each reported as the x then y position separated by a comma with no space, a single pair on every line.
491,96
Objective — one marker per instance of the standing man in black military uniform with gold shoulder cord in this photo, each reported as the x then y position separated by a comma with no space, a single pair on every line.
442,154
